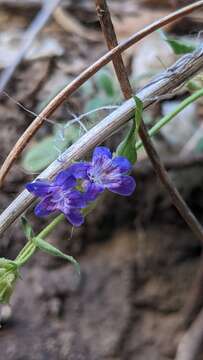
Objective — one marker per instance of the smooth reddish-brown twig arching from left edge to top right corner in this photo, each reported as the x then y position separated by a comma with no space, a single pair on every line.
85,75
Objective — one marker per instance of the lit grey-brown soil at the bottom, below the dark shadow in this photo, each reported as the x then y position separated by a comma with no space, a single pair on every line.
127,304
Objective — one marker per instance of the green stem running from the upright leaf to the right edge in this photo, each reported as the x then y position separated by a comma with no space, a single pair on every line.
189,100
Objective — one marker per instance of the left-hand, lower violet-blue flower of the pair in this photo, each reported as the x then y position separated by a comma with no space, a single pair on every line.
59,195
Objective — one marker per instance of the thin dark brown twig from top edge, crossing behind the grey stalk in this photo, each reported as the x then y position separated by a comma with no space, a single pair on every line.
179,203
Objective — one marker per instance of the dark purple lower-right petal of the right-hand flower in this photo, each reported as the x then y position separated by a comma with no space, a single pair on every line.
125,186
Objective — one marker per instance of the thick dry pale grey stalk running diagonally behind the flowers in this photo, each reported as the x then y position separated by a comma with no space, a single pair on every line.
182,70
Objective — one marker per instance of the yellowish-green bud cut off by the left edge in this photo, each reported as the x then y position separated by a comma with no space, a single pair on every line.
8,276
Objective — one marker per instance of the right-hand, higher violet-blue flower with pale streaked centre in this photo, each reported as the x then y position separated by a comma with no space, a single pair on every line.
104,172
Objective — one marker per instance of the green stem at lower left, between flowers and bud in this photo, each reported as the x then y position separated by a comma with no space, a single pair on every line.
30,248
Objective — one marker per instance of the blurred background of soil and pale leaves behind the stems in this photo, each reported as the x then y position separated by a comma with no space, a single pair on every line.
138,258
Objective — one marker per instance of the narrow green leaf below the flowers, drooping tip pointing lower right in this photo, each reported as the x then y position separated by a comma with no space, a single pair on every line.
52,250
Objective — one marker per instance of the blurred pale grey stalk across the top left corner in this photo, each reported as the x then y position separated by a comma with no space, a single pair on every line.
36,26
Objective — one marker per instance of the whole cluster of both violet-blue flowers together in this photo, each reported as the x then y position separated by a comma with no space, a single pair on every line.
92,178
